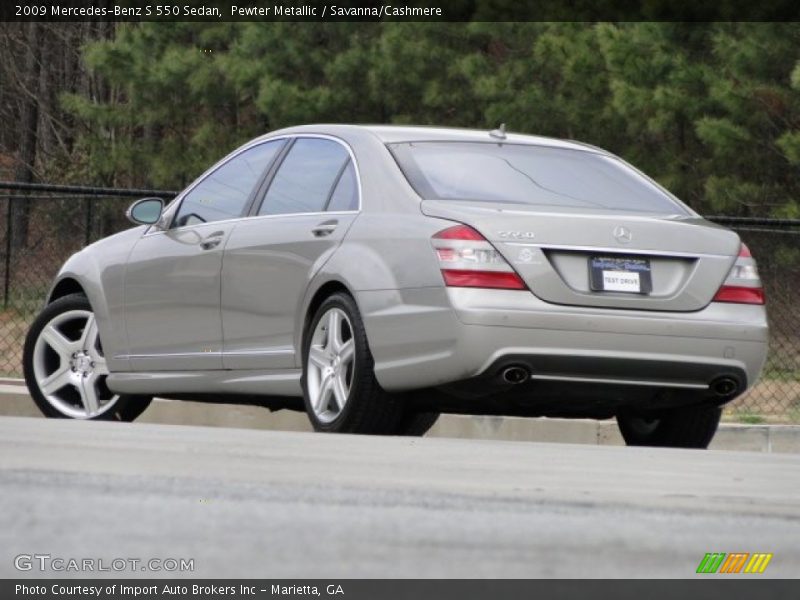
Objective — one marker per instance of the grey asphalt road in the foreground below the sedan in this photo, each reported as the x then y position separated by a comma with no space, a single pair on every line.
246,503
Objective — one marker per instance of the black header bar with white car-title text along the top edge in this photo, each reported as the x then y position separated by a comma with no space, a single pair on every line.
213,11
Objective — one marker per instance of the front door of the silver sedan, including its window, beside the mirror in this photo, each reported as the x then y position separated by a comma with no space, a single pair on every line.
172,279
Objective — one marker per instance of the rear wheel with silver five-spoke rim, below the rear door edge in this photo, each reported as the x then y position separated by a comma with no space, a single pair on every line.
340,392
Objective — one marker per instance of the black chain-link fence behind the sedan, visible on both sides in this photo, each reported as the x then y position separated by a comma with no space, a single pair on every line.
59,220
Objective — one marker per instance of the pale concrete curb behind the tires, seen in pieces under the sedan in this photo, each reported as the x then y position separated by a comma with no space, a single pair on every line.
15,401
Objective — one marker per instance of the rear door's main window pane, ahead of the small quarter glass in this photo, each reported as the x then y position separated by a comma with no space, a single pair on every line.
306,178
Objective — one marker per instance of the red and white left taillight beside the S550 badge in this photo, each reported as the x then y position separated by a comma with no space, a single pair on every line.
467,259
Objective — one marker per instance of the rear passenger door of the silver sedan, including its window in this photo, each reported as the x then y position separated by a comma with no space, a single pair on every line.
271,257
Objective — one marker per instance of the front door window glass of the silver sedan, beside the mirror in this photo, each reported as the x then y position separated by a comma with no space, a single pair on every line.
224,193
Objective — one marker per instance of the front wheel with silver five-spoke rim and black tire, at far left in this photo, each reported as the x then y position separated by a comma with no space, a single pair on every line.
65,368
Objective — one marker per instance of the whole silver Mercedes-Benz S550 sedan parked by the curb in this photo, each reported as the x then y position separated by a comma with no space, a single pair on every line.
379,276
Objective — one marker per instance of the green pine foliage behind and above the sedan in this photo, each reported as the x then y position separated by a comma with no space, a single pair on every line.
711,110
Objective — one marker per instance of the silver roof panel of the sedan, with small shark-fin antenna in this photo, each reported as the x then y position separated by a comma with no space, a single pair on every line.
391,134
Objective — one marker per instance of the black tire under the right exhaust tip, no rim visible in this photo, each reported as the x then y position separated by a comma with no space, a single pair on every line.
689,427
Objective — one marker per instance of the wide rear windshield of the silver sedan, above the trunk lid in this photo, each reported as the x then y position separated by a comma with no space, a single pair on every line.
535,175
